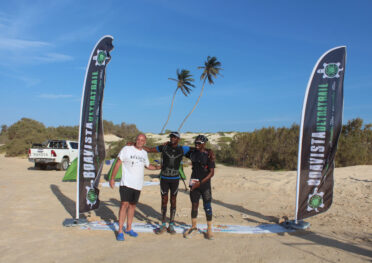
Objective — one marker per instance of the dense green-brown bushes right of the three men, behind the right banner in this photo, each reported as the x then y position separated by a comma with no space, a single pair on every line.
277,148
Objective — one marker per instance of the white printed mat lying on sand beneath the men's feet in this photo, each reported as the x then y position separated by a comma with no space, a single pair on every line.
233,229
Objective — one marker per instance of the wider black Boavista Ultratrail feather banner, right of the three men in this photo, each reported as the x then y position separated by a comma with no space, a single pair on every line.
320,129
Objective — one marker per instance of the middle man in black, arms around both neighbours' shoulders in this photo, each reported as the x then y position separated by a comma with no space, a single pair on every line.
171,155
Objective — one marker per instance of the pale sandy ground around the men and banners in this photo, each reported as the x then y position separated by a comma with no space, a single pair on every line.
35,203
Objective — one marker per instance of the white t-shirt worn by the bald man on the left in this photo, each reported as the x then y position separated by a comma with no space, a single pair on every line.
134,162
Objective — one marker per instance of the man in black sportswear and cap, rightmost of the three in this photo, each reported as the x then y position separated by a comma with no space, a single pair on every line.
200,183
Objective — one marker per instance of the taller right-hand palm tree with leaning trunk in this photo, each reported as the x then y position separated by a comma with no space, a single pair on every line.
211,69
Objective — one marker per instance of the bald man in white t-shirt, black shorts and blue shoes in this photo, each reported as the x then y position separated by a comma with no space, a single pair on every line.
134,160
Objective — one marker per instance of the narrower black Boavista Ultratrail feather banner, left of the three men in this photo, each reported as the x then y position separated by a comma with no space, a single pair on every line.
91,144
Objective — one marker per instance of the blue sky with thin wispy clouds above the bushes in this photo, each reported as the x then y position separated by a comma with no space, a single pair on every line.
267,49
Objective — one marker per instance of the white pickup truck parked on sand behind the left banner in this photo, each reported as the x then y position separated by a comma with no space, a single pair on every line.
59,153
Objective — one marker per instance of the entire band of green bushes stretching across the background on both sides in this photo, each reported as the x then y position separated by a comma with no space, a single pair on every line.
268,148
